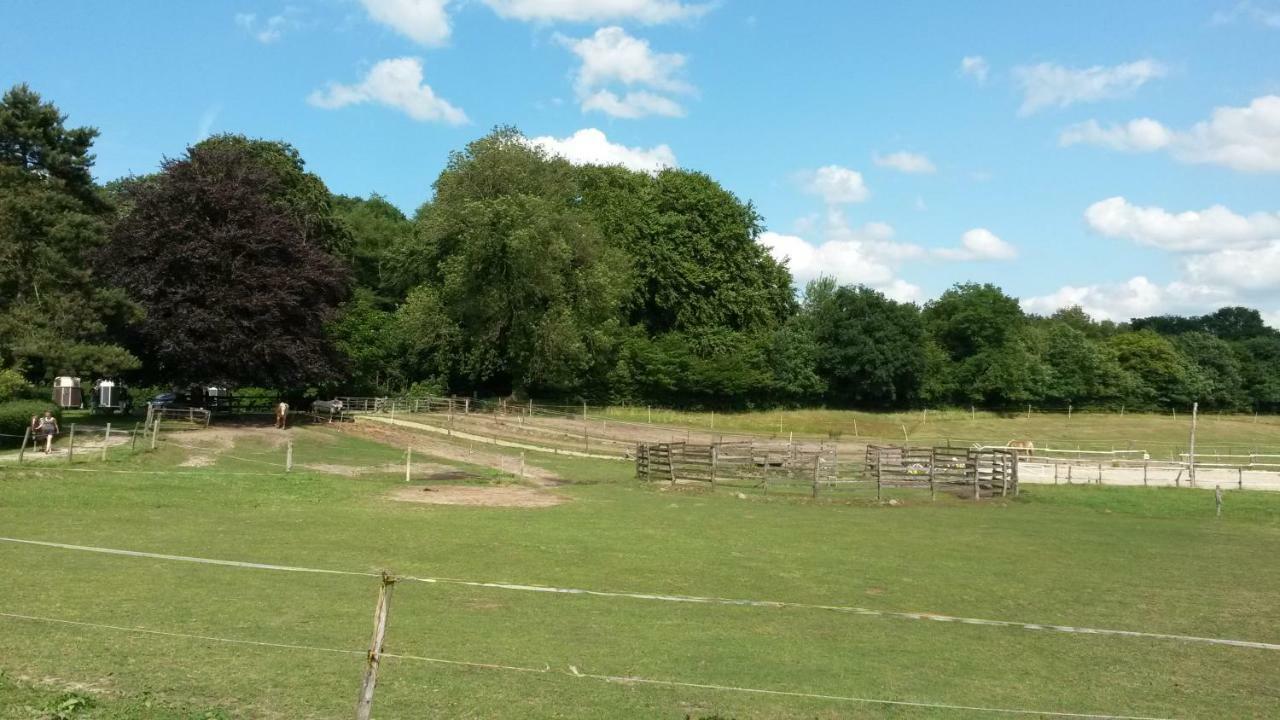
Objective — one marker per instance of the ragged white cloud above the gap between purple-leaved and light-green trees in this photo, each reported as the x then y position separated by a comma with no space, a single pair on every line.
396,84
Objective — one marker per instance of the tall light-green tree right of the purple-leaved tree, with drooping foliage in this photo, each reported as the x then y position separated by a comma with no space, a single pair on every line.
519,268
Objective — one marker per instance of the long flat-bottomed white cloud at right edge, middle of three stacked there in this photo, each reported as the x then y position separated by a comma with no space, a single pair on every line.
1214,229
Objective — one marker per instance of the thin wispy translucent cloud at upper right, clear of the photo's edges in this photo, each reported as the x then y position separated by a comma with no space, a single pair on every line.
1049,85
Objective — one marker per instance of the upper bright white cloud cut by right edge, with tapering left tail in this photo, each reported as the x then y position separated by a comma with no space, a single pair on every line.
1242,139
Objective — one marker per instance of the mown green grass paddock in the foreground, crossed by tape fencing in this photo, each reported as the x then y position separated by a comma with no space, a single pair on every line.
1151,560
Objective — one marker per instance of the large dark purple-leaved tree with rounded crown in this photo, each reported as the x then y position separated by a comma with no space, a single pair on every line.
235,254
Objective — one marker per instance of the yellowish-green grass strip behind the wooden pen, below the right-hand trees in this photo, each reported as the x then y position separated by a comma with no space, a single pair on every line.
1162,434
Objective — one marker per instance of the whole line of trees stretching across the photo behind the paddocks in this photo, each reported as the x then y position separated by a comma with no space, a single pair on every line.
523,275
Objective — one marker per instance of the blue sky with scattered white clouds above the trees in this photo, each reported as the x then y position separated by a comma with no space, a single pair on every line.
1119,156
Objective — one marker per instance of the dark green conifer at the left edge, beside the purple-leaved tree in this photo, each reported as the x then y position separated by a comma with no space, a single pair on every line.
56,317
